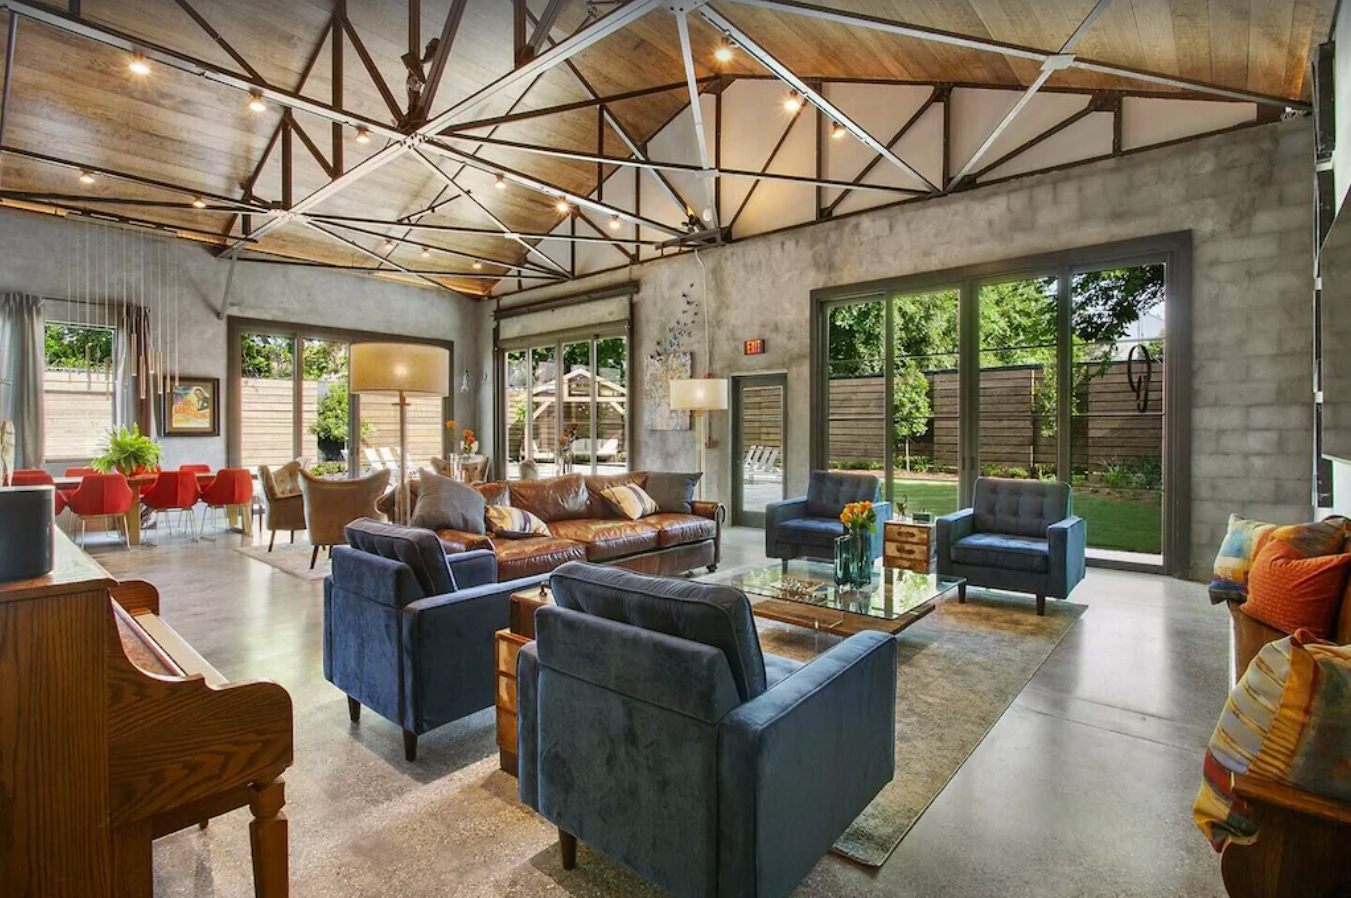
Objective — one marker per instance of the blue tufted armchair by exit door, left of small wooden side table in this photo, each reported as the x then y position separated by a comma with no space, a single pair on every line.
810,525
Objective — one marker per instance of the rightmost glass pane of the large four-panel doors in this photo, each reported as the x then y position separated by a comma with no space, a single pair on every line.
1118,408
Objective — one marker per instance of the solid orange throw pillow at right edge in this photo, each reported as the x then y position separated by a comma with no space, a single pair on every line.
1291,592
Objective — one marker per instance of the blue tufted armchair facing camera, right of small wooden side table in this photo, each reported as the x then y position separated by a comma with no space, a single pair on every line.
1019,535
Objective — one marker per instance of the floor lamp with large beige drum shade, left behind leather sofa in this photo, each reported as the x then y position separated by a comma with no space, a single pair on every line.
401,369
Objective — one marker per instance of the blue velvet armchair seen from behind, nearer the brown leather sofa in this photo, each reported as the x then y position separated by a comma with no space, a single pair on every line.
409,631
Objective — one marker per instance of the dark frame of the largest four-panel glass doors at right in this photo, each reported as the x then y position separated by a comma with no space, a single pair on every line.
1172,250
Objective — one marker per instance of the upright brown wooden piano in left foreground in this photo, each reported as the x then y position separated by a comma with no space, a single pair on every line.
116,733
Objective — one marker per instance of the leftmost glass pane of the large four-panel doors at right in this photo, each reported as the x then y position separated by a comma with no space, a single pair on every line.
856,387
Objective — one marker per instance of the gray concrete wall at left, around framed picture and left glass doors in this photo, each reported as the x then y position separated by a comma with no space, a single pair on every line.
37,255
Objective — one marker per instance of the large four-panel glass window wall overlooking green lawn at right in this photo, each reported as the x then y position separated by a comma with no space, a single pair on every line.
1046,369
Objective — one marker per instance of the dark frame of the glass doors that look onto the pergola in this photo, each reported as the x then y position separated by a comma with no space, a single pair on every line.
557,341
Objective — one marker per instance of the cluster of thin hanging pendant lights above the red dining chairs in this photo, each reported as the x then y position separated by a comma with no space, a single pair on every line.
128,283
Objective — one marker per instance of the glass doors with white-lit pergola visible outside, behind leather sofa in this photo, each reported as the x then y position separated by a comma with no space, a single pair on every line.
565,404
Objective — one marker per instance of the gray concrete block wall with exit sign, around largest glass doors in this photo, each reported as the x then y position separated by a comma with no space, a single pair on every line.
1246,199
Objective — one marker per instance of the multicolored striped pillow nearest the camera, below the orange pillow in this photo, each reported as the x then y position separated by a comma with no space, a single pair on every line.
1285,722
